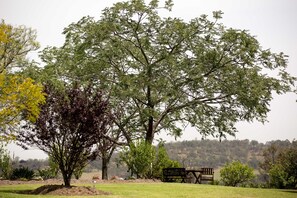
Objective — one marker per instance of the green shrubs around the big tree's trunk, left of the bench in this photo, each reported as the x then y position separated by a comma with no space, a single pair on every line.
145,161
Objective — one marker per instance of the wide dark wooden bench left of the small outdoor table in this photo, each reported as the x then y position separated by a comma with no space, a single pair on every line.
174,174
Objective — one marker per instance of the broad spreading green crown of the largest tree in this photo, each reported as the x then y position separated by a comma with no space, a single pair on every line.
163,71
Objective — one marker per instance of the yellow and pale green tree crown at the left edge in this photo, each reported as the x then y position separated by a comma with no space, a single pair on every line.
20,97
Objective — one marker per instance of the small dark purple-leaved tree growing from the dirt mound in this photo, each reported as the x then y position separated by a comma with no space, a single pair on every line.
69,126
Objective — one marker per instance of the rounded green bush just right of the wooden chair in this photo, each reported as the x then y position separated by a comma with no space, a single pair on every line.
236,173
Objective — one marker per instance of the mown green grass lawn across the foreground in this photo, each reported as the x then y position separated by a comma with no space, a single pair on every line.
159,190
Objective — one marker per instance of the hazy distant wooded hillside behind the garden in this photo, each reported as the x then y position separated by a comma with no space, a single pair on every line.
191,154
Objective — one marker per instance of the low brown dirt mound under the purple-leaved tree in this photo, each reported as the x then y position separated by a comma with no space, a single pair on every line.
62,190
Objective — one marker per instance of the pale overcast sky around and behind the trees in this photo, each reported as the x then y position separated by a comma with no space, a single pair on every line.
273,22
